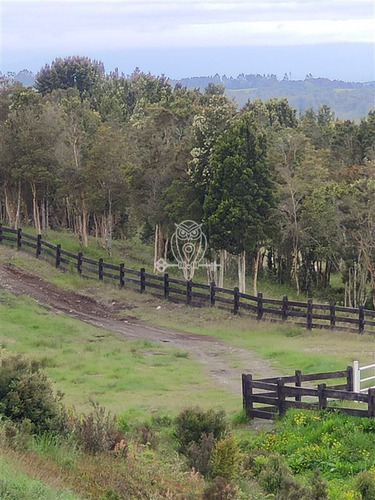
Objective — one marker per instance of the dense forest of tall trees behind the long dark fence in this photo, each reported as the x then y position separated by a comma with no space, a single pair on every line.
113,156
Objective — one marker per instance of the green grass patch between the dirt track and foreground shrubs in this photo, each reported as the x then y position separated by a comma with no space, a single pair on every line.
87,362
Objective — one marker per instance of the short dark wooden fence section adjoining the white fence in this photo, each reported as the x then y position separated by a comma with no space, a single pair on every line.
268,397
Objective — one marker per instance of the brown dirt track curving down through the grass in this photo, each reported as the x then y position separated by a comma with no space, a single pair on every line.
216,356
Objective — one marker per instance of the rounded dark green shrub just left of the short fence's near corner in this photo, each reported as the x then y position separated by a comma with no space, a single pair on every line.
191,423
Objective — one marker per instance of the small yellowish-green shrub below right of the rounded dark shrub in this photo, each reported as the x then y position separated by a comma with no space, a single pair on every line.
226,458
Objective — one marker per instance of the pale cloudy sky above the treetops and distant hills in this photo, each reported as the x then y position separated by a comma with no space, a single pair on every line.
181,38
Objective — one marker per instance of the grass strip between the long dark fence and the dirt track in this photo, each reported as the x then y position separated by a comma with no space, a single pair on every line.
287,346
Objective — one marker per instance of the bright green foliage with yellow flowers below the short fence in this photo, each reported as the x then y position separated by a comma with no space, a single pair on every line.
336,444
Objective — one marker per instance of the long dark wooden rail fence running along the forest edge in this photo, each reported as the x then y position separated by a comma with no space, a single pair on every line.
305,314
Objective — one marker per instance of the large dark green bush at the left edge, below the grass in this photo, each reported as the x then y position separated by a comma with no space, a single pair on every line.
26,394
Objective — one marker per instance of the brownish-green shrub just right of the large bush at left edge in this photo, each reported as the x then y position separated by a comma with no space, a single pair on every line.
97,431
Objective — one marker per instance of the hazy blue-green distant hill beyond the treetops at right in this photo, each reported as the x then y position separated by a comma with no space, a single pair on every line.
349,100
